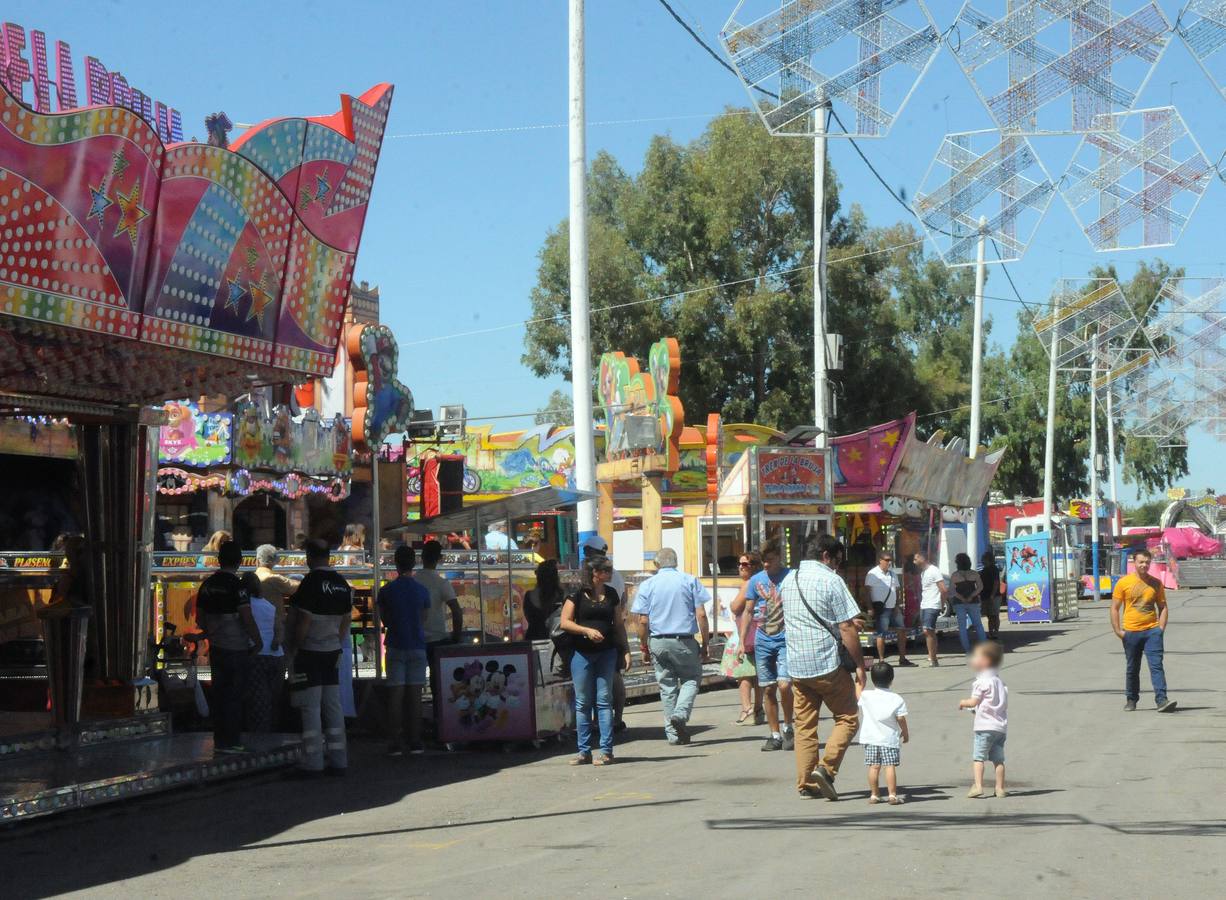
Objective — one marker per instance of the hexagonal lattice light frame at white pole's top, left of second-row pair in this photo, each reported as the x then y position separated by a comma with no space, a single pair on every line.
980,175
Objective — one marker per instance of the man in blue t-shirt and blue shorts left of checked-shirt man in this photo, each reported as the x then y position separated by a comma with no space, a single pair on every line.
771,646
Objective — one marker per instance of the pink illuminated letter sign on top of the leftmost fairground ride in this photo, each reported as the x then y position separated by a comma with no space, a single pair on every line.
102,88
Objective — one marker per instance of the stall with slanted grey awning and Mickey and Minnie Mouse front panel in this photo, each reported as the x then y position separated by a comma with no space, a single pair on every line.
496,686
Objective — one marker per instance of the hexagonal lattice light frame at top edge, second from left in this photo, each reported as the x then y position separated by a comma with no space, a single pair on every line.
1056,66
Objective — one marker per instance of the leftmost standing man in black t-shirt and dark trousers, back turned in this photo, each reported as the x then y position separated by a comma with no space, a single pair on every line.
224,614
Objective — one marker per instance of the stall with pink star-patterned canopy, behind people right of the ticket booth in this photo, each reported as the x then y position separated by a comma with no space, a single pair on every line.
897,492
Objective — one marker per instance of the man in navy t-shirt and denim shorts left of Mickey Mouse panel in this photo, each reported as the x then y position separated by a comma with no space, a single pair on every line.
403,605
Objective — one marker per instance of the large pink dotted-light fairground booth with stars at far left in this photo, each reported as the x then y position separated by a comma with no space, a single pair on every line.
139,273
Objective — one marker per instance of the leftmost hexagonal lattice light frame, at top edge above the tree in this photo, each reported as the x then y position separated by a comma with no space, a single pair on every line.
864,57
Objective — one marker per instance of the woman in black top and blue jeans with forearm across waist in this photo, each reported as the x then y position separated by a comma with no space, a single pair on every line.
593,617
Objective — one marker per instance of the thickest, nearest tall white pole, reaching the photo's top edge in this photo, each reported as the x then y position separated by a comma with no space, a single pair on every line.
581,339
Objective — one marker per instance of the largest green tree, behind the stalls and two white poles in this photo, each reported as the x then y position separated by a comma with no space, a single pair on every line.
713,243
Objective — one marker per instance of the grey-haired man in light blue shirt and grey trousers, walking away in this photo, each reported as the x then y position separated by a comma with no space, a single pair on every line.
671,611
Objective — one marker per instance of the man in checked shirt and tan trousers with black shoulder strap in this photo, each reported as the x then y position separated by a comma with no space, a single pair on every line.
823,654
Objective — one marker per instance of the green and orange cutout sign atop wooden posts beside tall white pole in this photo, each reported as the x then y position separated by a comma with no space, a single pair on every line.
626,392
